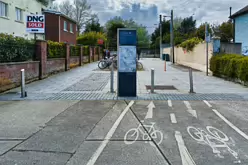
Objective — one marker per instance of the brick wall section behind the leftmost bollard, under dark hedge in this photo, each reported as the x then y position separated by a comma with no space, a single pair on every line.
10,75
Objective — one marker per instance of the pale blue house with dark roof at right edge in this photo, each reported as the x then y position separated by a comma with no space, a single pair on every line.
240,19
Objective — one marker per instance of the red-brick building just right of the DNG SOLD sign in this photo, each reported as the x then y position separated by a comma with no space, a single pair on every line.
59,27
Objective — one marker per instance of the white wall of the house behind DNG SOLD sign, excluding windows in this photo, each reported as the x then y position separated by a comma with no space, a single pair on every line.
11,26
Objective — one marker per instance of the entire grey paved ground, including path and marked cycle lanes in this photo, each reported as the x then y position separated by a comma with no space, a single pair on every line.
72,119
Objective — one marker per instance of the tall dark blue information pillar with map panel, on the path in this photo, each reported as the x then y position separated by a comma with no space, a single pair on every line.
126,48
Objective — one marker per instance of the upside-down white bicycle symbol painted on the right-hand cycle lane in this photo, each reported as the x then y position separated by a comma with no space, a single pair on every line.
216,139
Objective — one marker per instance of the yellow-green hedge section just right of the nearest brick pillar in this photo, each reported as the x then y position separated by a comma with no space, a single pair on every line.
56,50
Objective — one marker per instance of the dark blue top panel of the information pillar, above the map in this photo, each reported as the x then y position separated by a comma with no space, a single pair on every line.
127,37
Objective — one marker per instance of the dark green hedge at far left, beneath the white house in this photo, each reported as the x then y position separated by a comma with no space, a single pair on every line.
16,49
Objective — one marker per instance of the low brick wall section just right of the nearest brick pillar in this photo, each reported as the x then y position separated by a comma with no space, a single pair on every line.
55,65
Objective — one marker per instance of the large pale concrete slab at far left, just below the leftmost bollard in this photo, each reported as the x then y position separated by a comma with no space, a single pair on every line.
20,119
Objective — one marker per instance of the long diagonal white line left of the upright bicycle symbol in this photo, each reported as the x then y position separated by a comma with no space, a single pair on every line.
108,136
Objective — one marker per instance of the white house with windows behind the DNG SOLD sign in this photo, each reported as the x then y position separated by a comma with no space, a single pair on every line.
13,16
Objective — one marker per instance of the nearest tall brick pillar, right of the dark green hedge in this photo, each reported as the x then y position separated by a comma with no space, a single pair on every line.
41,55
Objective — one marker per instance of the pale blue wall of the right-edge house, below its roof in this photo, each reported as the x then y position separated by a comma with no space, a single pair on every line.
241,32
